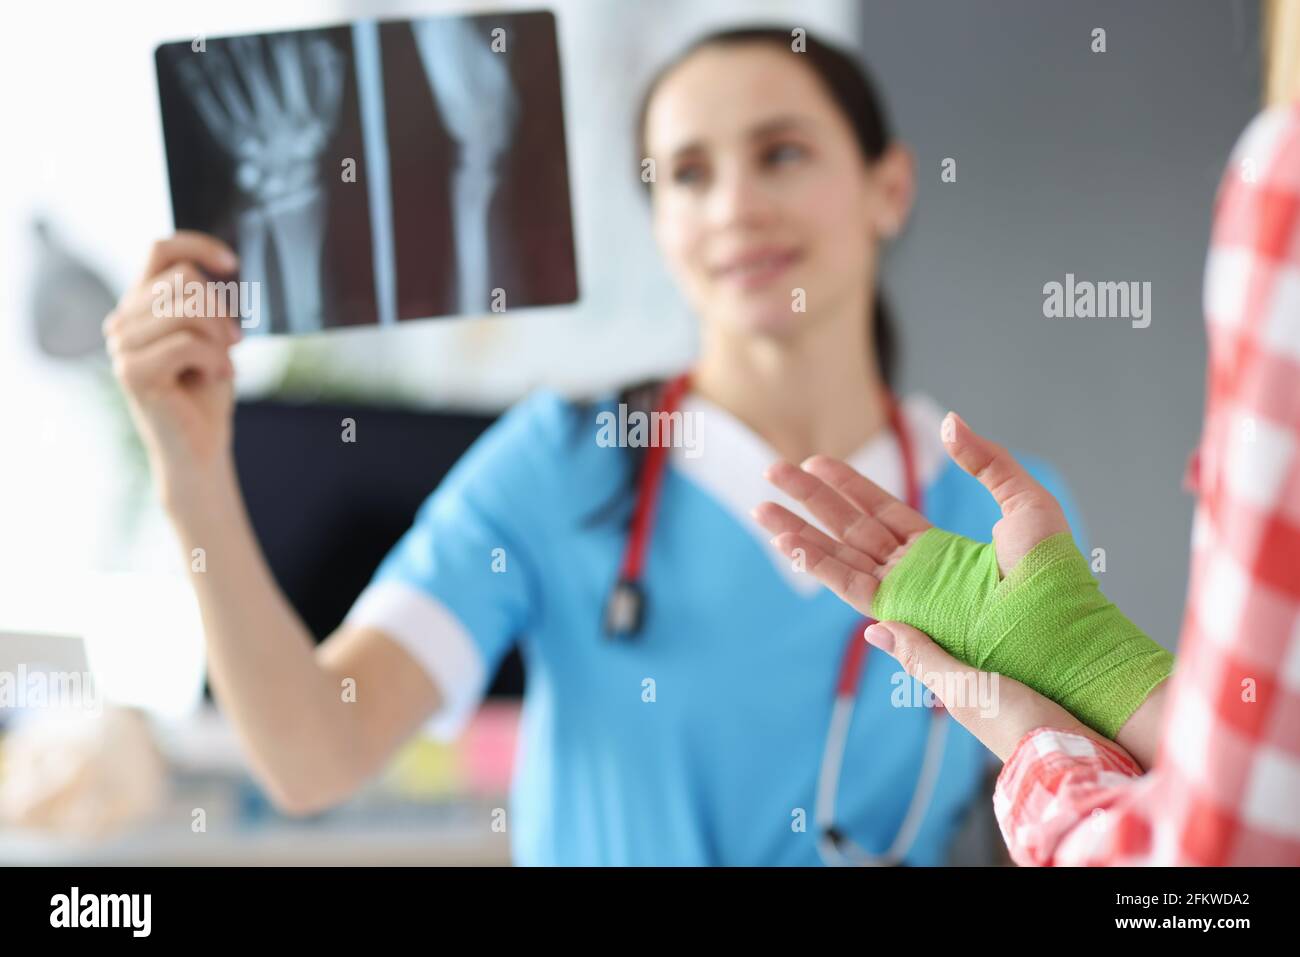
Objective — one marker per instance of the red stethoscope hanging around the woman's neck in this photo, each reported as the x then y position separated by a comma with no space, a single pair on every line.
625,614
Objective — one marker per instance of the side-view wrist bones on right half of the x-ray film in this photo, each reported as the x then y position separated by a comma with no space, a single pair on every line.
476,98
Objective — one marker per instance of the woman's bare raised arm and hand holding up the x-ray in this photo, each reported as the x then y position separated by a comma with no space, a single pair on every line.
307,747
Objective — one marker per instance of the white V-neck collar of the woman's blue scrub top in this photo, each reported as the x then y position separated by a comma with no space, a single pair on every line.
730,460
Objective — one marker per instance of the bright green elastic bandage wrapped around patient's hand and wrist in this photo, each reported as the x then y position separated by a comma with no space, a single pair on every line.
1047,625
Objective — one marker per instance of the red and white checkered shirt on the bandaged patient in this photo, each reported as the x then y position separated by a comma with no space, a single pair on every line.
1225,789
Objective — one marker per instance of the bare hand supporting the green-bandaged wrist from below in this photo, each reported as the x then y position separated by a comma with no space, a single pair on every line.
999,711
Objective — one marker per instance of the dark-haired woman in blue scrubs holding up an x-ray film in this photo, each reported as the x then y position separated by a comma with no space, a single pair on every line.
692,696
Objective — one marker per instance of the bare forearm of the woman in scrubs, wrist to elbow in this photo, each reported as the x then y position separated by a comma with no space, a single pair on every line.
287,711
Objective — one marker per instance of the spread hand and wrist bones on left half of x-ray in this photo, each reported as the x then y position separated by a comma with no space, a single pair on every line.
272,105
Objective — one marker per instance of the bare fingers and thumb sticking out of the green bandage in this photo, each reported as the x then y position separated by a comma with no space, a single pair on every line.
872,530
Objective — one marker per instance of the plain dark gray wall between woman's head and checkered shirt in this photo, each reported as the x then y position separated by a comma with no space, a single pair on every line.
1099,164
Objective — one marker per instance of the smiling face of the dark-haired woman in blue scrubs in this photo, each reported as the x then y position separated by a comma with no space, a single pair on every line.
761,192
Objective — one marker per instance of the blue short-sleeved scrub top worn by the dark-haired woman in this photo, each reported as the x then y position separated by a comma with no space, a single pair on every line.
699,742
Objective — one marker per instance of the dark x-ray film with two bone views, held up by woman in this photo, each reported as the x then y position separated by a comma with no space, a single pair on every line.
378,172
